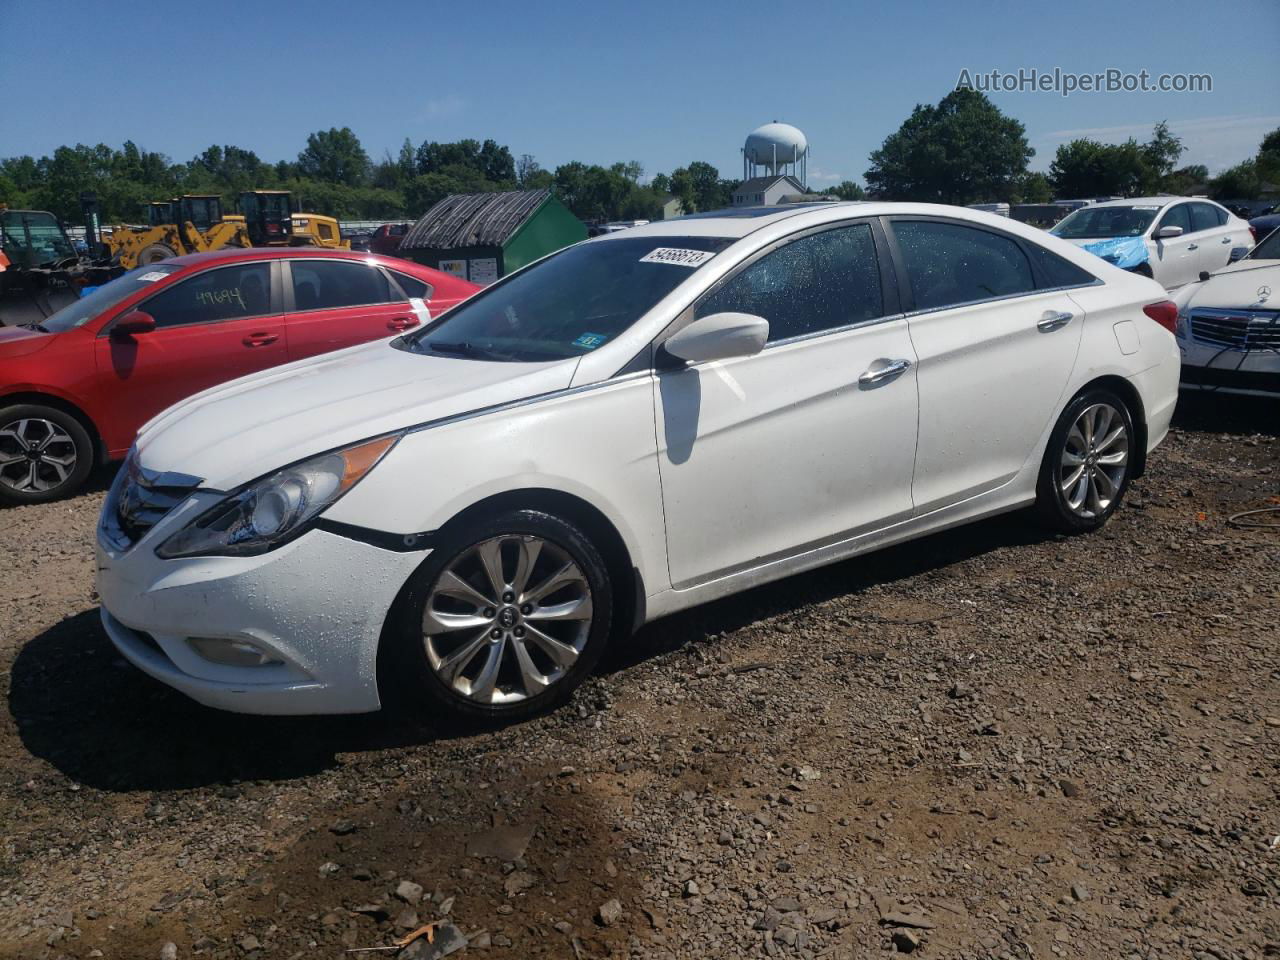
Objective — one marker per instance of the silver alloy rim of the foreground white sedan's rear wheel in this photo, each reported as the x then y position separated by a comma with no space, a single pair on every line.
1095,461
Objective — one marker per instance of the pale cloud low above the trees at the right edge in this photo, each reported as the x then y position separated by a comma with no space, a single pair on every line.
1215,141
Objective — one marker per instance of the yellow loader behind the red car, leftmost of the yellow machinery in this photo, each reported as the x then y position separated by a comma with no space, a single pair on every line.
188,225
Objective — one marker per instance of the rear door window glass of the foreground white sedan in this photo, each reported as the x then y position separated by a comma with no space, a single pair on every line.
950,264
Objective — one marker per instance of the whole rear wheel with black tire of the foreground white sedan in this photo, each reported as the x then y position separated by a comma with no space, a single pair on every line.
1087,464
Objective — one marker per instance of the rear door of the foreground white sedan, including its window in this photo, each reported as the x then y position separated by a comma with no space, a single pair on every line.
991,373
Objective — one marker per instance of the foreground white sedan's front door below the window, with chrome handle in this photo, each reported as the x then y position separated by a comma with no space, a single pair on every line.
764,456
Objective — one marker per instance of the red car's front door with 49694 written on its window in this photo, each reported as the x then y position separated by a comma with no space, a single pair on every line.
211,328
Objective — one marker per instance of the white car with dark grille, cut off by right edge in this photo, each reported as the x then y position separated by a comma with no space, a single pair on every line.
1229,326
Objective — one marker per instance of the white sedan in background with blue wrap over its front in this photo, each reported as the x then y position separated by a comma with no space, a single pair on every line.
1171,240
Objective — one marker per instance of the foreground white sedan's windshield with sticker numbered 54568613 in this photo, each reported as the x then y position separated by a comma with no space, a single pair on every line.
570,304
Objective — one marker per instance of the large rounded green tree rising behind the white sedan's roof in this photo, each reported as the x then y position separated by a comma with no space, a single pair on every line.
961,152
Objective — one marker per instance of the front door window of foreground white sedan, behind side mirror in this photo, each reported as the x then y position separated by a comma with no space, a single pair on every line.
816,284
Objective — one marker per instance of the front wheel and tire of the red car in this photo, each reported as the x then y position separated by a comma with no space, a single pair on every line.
45,455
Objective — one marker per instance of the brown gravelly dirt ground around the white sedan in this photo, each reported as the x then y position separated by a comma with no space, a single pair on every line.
990,743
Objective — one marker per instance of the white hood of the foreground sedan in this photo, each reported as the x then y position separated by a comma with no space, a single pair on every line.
244,429
